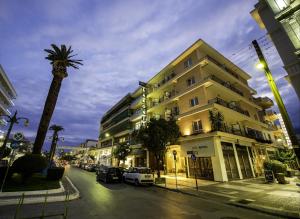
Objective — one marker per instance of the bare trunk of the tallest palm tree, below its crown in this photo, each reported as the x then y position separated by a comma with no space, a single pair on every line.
47,114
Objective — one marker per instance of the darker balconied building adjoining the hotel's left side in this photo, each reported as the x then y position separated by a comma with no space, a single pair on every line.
116,128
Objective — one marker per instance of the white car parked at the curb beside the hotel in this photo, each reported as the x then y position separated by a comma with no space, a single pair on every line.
138,175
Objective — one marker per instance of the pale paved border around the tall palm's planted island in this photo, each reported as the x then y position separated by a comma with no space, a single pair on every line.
54,195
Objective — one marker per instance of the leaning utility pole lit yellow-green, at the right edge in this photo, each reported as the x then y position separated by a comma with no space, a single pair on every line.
280,104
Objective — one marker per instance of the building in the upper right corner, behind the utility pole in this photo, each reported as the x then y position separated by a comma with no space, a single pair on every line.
281,18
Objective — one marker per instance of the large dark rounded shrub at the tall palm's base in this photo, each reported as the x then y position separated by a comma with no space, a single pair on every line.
29,164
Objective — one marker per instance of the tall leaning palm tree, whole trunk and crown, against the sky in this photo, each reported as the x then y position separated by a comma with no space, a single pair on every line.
60,59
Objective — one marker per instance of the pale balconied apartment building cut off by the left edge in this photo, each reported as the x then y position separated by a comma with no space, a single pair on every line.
7,94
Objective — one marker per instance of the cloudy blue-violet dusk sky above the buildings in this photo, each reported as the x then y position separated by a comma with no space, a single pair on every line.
121,42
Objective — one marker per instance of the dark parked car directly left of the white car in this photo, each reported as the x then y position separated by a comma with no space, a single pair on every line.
108,174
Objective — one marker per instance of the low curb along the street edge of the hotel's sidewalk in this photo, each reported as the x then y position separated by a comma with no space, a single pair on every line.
266,210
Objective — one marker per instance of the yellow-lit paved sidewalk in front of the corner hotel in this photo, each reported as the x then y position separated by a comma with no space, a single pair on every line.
253,193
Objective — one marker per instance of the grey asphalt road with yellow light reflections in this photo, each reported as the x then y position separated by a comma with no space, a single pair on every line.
99,200
